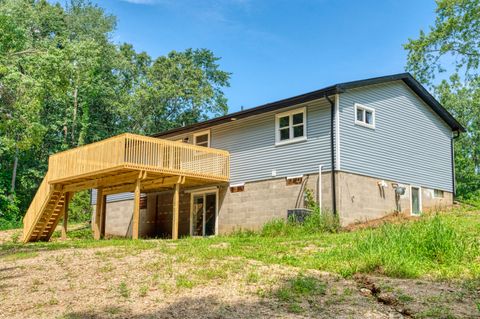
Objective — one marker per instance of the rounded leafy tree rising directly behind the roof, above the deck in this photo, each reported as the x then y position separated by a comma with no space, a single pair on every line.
179,89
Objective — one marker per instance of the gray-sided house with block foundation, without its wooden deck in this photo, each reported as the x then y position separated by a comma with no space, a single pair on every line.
388,142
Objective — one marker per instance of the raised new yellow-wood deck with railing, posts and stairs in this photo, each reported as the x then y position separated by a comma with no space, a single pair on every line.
124,163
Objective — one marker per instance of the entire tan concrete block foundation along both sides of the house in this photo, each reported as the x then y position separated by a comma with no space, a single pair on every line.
359,198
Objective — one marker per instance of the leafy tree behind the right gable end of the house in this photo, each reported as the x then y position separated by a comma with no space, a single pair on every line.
452,47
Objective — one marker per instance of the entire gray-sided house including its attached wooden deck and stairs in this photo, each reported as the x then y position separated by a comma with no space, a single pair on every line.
364,149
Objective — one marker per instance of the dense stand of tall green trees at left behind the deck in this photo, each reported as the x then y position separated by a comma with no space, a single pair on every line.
65,83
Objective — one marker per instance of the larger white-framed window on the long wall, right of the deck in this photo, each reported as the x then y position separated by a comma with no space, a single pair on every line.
291,126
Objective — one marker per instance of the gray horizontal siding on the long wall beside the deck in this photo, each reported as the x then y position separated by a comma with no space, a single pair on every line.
253,153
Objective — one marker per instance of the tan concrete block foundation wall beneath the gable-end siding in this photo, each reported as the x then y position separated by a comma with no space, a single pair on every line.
360,198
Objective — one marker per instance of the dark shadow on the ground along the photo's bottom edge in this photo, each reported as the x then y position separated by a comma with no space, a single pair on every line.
297,295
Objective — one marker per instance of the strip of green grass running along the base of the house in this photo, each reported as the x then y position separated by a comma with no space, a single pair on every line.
443,246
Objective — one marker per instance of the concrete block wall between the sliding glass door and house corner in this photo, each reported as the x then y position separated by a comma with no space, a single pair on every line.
265,200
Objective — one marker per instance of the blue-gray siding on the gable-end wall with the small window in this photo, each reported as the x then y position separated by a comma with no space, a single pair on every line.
410,142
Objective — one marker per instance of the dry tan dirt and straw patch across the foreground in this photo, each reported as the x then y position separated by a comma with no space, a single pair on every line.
127,282
